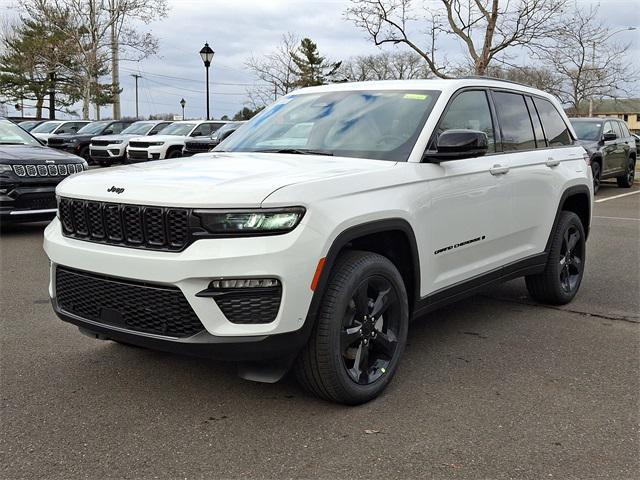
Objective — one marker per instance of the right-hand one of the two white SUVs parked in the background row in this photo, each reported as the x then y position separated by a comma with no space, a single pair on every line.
170,142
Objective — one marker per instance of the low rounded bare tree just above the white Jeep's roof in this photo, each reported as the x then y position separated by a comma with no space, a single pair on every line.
384,66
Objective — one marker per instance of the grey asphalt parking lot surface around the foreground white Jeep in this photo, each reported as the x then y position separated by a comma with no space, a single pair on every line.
493,387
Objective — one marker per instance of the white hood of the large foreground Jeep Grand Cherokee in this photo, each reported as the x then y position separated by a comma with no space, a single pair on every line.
211,180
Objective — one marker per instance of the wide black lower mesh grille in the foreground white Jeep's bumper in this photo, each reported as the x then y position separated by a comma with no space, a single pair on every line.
135,306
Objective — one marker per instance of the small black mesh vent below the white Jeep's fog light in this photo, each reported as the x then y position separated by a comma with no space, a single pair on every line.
250,305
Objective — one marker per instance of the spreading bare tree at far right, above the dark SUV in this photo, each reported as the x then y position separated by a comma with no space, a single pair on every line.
586,62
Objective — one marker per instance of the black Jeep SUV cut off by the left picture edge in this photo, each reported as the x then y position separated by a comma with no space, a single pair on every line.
29,173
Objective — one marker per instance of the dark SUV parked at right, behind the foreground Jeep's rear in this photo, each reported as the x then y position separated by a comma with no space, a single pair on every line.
611,147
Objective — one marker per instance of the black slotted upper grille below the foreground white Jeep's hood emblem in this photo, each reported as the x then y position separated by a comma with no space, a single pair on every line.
155,228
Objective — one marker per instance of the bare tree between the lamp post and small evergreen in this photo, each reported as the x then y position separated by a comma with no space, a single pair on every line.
274,70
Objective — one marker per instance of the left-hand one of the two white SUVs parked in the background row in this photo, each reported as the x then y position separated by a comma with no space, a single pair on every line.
109,149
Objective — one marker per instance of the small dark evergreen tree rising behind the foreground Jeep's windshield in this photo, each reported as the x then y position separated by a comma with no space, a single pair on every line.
309,67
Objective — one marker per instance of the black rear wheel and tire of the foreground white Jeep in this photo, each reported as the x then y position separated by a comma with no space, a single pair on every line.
561,279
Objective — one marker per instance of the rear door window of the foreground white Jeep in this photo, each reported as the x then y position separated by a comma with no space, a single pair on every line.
515,123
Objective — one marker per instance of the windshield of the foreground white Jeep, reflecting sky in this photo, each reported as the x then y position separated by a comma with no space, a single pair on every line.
382,124
